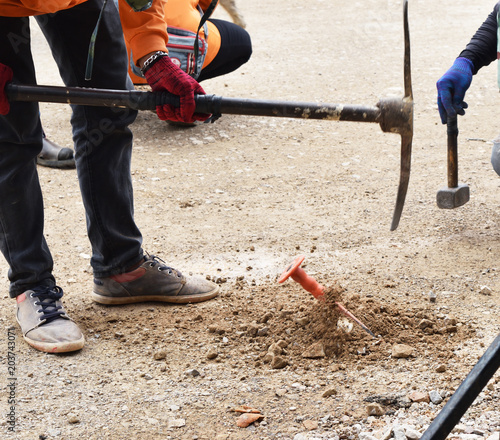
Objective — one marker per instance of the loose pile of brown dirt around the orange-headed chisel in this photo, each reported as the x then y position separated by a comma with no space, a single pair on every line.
320,330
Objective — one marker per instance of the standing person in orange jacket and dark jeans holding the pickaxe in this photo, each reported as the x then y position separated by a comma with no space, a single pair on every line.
123,272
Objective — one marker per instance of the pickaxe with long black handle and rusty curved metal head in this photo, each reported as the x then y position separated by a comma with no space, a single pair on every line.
395,115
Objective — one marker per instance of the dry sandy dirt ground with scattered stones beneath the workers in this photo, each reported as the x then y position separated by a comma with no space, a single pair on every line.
237,200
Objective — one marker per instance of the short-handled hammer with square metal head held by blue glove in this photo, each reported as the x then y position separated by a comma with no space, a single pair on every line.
455,194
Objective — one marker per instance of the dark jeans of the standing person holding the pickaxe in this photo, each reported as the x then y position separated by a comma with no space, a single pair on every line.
102,143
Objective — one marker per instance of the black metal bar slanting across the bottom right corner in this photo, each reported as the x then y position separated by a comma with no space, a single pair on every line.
466,393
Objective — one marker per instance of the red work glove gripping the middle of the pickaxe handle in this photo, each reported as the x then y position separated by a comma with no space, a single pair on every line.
165,75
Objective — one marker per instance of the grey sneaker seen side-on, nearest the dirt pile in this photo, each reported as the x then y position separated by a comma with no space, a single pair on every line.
152,281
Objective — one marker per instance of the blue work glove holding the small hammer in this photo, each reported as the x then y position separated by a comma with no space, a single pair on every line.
452,87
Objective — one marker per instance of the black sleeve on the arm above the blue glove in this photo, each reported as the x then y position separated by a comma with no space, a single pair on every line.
482,48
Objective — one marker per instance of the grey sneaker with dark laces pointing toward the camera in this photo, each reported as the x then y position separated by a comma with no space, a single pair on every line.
44,322
